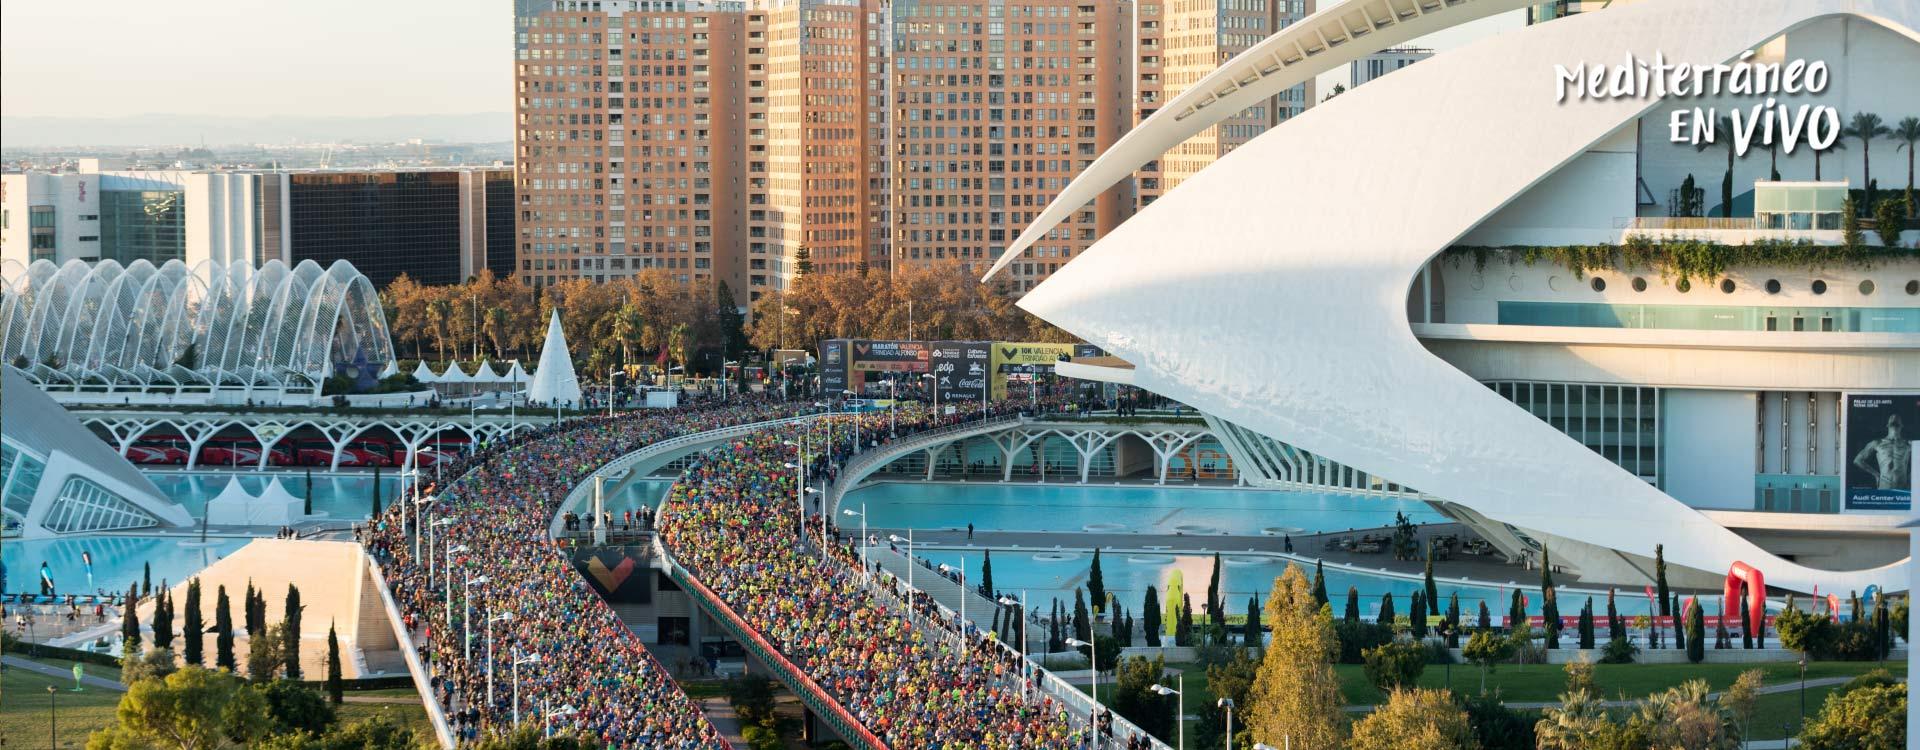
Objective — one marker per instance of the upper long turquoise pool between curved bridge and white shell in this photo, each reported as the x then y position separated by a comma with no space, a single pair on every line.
1024,507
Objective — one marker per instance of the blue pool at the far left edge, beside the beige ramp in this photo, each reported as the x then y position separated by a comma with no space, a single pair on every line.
118,561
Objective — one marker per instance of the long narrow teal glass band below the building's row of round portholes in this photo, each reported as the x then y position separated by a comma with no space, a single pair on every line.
1714,317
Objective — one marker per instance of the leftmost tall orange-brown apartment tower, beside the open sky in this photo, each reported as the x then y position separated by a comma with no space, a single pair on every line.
629,139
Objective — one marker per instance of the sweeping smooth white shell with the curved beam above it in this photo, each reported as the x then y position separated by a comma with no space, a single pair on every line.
1326,222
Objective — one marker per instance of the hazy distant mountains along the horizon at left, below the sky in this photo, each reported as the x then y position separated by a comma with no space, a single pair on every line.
28,131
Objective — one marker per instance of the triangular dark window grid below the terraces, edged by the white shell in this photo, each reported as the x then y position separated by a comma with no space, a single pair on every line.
1621,423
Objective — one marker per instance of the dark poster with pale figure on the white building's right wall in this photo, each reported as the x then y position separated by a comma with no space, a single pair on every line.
1881,450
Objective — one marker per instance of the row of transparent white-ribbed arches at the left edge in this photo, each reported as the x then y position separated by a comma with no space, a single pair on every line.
176,327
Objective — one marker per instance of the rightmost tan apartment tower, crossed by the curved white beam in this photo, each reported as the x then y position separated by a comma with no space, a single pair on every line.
1180,43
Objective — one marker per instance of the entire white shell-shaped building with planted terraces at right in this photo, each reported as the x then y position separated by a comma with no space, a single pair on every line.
1547,317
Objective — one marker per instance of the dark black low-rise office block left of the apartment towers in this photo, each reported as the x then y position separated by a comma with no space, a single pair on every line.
385,223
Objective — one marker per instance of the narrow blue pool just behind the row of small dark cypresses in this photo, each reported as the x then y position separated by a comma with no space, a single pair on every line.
1057,574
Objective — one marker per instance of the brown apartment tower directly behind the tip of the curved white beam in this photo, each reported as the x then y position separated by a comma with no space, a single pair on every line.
996,108
